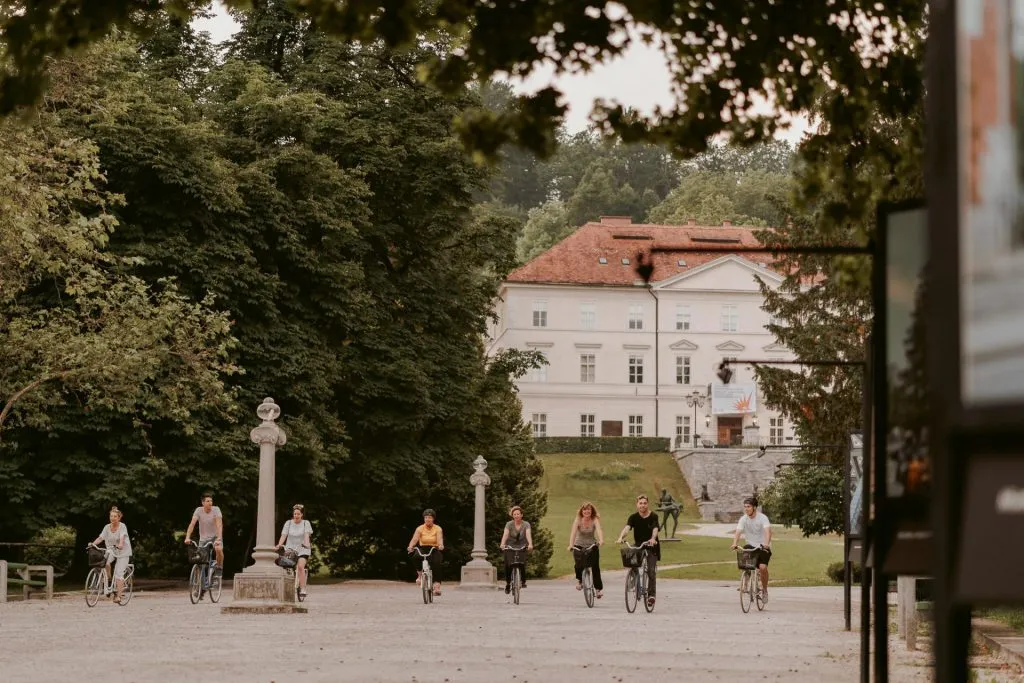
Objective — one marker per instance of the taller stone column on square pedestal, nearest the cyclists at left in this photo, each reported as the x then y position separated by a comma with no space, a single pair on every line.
264,587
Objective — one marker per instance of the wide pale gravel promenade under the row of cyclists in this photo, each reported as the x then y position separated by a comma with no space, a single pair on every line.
370,631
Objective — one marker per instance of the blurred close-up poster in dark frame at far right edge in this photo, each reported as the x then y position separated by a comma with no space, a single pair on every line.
991,94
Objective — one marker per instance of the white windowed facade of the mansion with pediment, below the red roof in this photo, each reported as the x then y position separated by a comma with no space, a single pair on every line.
610,363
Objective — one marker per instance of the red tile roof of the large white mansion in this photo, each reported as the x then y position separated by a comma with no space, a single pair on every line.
576,261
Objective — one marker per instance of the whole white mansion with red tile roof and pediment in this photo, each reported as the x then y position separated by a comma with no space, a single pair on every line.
624,357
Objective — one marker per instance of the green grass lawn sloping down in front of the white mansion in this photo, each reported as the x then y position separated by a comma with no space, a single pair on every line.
612,482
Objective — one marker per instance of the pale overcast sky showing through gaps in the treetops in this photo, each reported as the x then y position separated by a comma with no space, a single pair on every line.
639,78
